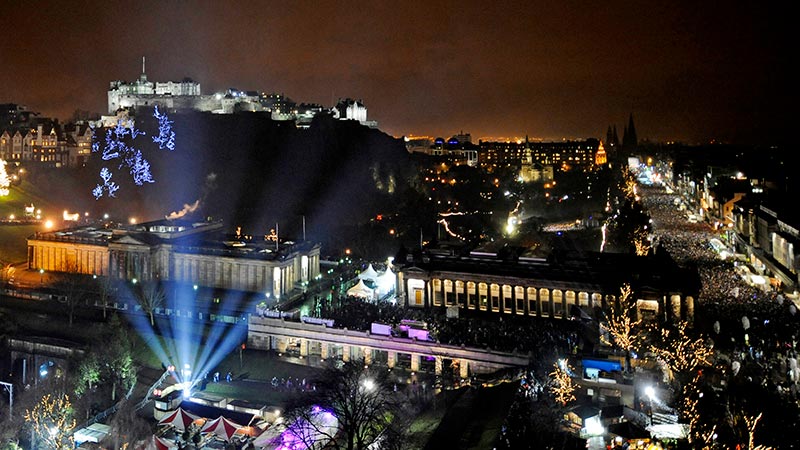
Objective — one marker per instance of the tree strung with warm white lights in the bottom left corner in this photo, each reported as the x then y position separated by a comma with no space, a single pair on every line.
52,423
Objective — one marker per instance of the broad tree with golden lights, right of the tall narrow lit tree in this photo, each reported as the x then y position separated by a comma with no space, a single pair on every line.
679,353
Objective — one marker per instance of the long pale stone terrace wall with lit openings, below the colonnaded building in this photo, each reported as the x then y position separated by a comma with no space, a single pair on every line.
309,339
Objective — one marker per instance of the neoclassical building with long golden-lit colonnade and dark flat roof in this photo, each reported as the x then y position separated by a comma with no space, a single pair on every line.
557,288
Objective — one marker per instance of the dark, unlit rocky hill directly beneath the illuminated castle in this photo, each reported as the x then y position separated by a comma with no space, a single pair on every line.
252,172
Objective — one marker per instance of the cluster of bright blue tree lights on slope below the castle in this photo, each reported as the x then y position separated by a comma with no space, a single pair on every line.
118,145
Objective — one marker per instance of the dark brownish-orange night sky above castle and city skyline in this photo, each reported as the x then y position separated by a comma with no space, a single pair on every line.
688,71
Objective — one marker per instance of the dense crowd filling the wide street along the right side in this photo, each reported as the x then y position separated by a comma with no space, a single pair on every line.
753,327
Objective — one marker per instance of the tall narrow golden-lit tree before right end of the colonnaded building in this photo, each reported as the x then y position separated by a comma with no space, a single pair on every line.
625,331
